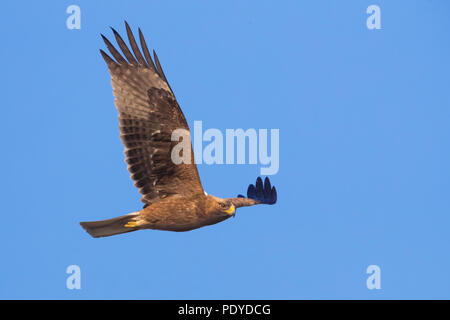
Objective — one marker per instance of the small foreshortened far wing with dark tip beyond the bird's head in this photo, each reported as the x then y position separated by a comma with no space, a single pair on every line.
257,194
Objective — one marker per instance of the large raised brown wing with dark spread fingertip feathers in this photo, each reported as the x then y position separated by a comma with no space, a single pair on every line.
148,114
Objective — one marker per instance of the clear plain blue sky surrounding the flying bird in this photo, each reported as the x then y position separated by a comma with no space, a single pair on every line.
364,150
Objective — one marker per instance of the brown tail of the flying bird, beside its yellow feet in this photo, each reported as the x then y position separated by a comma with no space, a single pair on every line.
110,227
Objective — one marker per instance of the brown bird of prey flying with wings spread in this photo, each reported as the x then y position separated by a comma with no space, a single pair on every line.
173,196
